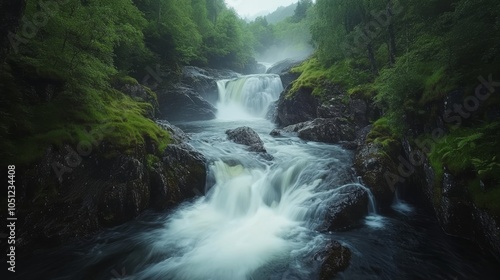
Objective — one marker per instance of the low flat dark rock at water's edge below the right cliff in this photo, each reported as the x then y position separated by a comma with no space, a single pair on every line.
324,130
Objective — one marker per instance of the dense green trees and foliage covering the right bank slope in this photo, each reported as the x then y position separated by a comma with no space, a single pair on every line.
408,56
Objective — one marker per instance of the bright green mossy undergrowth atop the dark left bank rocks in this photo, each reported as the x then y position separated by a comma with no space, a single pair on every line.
79,116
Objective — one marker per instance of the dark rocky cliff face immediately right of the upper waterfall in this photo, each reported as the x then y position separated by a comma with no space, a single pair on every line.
333,118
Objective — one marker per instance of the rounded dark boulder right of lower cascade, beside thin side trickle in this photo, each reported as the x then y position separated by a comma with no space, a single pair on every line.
348,208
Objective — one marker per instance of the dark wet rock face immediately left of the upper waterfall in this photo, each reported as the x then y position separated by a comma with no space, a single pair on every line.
183,103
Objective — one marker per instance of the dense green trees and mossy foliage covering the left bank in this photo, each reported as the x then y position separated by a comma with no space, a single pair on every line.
59,81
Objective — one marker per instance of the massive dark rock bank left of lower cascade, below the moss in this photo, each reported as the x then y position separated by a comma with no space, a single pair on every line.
66,196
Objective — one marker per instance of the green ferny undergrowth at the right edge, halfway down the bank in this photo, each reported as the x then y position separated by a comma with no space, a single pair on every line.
472,152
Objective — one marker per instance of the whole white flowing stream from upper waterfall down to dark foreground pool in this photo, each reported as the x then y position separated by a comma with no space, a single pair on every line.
258,218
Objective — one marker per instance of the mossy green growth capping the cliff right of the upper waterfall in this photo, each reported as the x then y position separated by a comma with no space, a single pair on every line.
313,75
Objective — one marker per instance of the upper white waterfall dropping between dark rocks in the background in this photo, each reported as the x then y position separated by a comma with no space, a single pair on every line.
248,96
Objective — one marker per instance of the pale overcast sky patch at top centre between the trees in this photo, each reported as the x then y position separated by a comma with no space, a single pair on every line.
249,8
